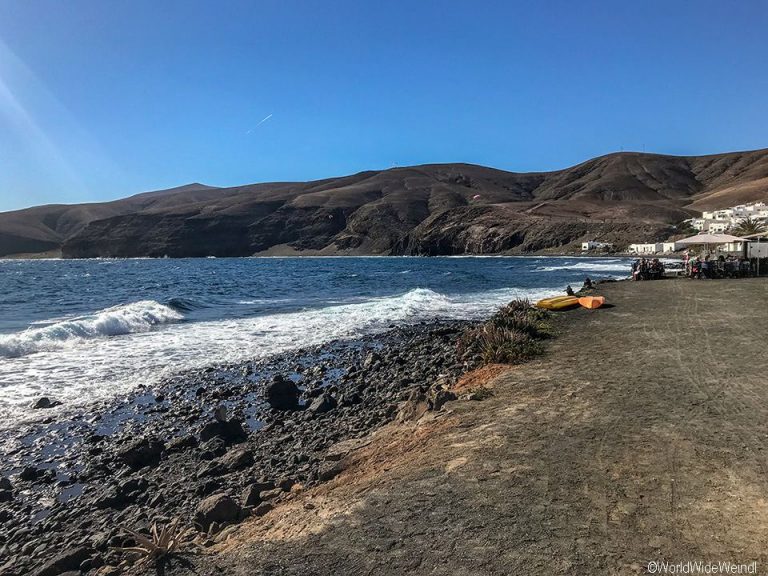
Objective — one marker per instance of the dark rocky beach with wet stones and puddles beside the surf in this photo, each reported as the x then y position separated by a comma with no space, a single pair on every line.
212,446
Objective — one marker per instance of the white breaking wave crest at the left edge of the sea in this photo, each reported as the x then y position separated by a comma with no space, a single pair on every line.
126,319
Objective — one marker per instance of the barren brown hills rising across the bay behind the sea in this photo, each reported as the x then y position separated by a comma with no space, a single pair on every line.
430,209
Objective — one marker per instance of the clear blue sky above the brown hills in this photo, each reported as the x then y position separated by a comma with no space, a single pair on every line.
104,98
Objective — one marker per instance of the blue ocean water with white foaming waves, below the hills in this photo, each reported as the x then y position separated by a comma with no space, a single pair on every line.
81,331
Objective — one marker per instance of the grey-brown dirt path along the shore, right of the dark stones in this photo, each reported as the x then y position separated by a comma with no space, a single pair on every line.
641,436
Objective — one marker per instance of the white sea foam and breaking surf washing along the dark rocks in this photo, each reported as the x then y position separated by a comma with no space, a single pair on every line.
86,359
